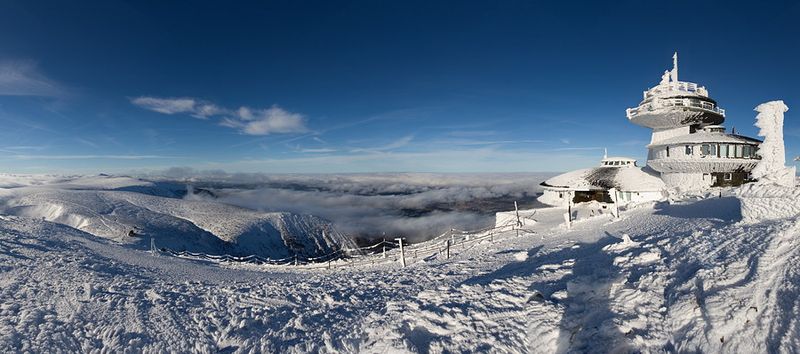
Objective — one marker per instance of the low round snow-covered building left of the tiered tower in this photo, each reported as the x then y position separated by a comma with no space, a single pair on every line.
631,183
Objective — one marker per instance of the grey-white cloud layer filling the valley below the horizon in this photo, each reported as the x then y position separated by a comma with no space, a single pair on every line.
417,206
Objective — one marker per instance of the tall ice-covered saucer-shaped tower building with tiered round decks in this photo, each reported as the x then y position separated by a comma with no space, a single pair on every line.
689,146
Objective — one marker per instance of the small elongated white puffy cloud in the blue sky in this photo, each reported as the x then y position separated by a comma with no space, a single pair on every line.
250,121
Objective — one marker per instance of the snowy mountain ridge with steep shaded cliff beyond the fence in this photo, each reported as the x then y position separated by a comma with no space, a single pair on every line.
103,206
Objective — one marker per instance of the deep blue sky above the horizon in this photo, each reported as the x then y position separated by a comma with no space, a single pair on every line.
373,86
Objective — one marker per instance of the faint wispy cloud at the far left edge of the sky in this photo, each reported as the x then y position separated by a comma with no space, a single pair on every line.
23,78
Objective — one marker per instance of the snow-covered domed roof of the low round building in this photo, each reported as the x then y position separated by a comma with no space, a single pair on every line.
603,178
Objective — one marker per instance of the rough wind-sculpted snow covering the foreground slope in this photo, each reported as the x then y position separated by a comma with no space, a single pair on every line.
681,277
